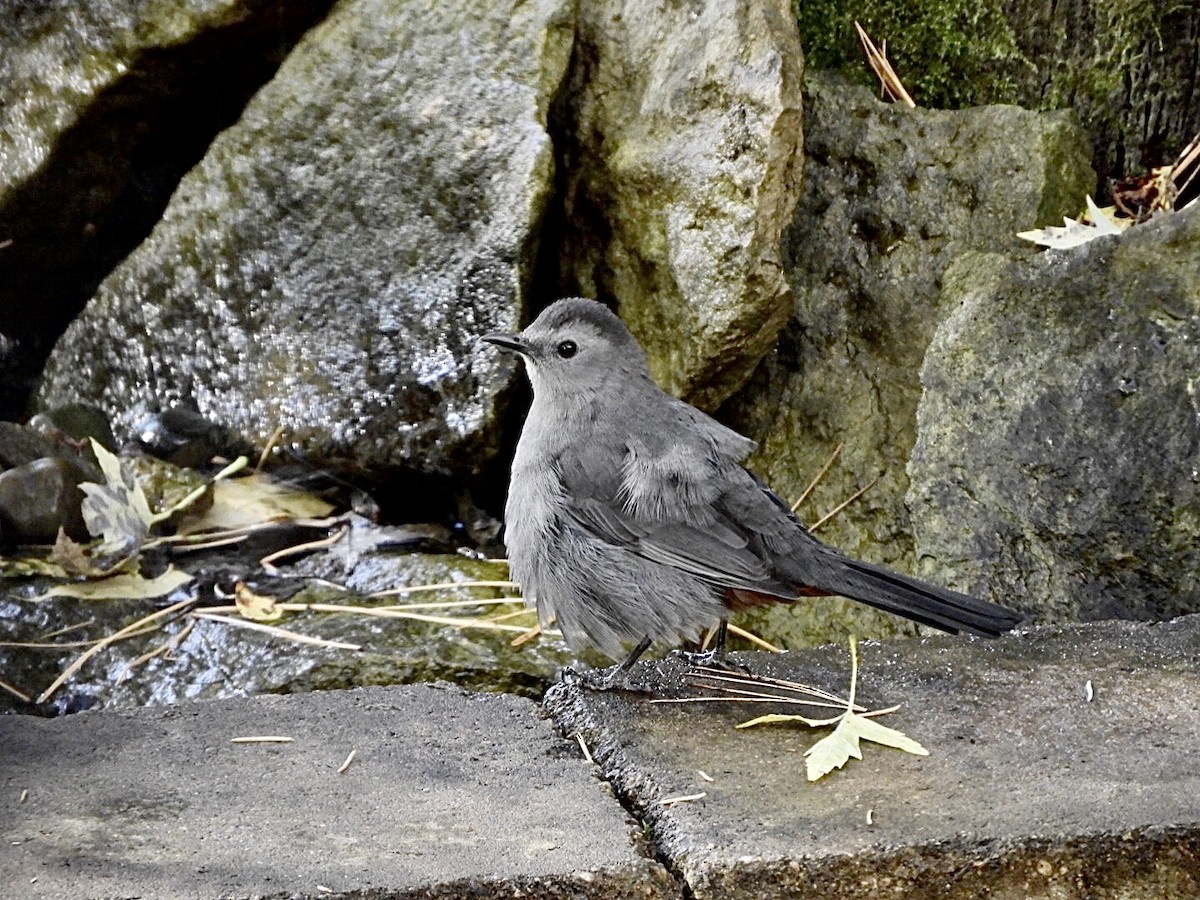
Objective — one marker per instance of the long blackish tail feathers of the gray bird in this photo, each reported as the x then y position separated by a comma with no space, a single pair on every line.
919,601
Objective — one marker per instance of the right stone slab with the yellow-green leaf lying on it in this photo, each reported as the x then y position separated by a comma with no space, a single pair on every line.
1031,789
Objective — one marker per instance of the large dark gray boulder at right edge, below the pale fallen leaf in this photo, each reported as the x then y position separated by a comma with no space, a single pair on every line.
1059,437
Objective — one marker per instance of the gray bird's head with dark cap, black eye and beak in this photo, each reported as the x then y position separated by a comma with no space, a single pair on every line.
574,343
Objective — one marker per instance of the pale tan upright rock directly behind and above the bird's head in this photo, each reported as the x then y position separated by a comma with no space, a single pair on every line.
683,146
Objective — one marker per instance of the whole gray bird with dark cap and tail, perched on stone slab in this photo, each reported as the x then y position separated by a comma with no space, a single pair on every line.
631,519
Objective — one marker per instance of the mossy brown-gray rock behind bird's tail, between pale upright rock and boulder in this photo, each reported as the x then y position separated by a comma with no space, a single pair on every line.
891,197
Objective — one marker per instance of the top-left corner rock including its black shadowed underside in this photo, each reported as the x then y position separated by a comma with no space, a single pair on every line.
104,107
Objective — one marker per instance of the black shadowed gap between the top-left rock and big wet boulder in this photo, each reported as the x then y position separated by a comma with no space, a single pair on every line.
112,173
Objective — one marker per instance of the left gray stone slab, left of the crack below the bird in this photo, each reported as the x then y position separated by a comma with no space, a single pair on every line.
449,795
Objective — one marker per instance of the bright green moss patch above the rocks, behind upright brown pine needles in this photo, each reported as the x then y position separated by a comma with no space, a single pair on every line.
949,53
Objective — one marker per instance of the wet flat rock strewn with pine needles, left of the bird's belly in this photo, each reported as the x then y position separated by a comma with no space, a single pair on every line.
443,635
